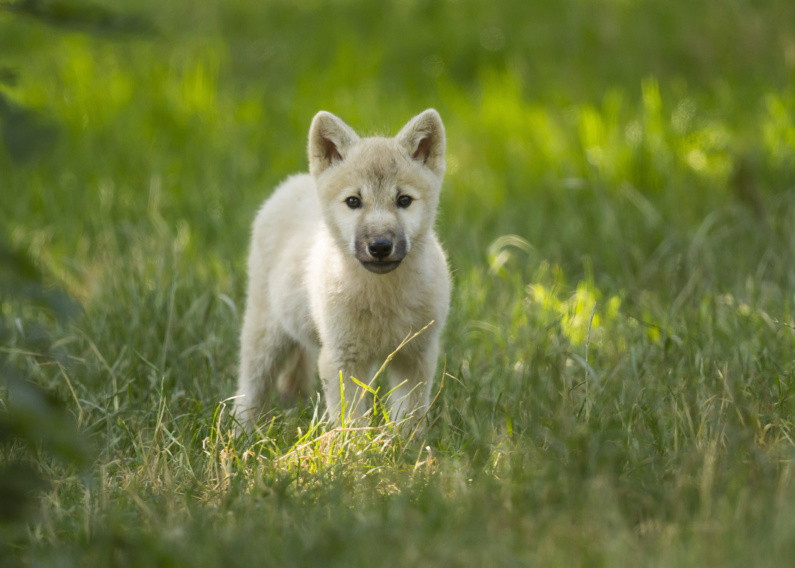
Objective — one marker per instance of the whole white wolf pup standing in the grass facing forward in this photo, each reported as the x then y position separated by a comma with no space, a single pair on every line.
344,264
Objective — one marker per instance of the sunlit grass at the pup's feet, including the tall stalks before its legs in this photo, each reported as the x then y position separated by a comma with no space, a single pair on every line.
356,444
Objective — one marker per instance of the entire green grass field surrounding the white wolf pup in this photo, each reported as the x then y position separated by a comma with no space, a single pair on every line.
617,386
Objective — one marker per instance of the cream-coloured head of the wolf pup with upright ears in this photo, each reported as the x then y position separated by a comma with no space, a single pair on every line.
379,195
